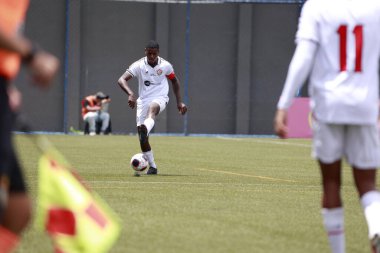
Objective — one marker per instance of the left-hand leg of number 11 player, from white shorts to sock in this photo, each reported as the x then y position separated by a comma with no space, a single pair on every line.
328,149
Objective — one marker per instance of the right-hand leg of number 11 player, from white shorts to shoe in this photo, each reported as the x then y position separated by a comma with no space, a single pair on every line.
364,159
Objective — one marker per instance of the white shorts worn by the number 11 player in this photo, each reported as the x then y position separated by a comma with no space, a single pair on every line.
359,144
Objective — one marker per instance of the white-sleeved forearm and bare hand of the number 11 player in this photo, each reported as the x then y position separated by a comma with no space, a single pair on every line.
299,69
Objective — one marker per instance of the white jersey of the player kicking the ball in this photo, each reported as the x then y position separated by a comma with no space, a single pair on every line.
153,82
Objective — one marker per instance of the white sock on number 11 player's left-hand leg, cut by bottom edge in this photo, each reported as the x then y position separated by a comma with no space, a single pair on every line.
333,221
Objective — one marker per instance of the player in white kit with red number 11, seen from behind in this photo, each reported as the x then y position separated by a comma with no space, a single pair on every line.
338,48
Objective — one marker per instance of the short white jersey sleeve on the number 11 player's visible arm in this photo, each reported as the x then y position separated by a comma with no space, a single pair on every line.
308,24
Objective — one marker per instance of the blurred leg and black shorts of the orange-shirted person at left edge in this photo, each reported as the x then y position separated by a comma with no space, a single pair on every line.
14,211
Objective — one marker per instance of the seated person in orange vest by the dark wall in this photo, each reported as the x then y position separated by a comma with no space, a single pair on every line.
95,108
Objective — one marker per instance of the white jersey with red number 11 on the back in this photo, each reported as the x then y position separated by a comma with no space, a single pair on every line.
344,78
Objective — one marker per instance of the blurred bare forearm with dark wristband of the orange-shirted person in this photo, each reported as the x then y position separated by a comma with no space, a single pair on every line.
43,66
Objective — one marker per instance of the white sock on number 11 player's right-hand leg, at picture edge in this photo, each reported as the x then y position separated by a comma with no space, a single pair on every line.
371,205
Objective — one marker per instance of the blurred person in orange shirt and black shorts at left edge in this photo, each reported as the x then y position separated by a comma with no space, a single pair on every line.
15,205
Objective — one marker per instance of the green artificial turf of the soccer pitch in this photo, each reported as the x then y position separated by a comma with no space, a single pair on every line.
212,194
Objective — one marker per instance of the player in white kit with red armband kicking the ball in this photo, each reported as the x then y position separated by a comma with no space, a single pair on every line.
153,73
